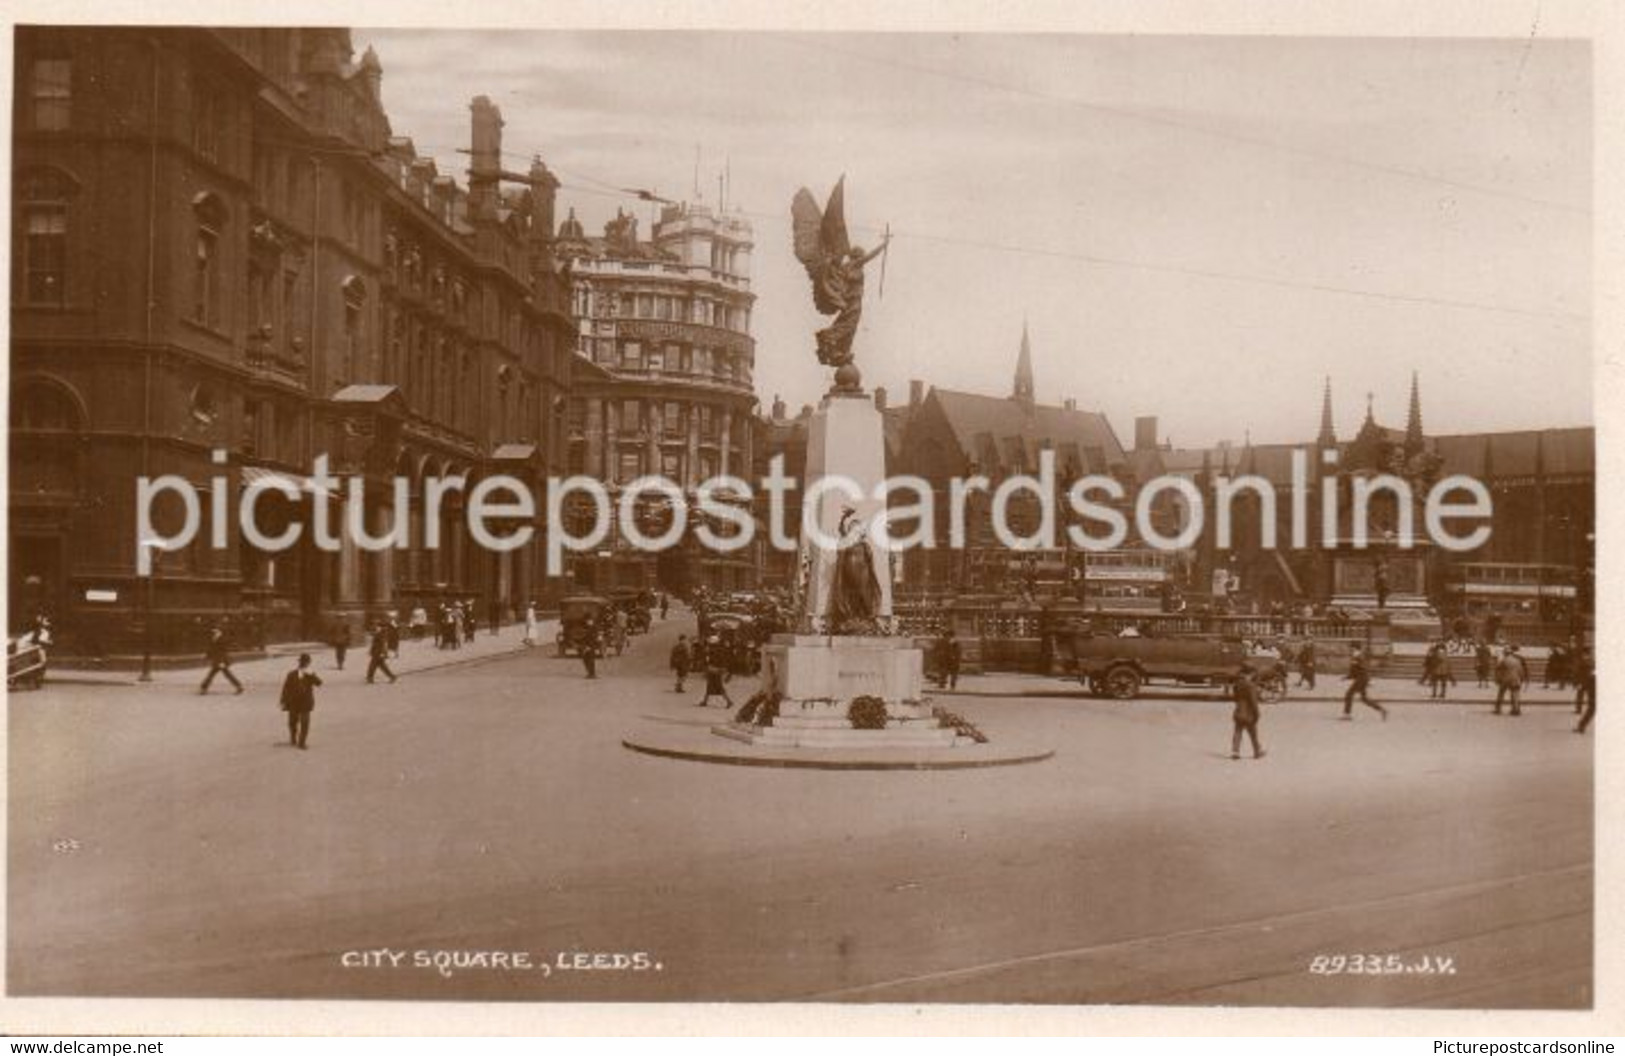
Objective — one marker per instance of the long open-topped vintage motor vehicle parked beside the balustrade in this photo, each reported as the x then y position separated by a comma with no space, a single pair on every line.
1120,667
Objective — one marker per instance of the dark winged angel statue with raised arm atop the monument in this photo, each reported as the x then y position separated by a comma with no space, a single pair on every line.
836,269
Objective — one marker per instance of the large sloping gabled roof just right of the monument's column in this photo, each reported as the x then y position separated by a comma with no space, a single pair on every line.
992,430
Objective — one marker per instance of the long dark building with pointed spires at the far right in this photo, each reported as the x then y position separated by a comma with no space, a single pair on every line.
1535,565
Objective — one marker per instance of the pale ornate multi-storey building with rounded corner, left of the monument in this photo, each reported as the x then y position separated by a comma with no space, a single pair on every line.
664,379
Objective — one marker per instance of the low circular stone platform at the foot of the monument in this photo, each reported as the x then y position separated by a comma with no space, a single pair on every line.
698,743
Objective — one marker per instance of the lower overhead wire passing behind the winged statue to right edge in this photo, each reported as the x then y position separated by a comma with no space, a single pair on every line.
612,191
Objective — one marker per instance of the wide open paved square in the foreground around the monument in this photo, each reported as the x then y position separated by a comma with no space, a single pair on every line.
165,844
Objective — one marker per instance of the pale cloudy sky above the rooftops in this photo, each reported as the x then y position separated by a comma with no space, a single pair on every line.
1194,228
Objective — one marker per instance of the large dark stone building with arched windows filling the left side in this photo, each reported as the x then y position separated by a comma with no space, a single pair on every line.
222,248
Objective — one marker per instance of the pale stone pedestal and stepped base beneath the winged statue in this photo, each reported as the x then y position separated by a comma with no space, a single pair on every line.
815,675
